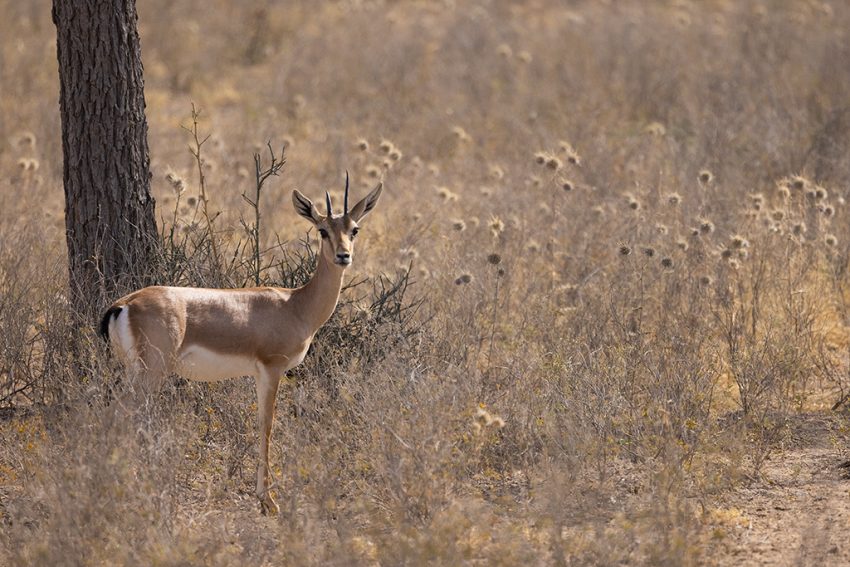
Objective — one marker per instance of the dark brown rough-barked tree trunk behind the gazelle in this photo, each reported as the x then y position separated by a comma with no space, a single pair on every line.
109,211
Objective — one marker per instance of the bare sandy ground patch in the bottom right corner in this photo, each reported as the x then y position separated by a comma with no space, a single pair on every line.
798,512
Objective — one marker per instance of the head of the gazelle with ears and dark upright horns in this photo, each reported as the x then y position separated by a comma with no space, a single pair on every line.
337,230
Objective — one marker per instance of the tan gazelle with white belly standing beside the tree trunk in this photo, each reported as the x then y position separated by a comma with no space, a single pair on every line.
215,334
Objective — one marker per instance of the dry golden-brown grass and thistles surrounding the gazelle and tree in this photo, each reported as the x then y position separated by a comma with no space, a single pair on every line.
664,187
